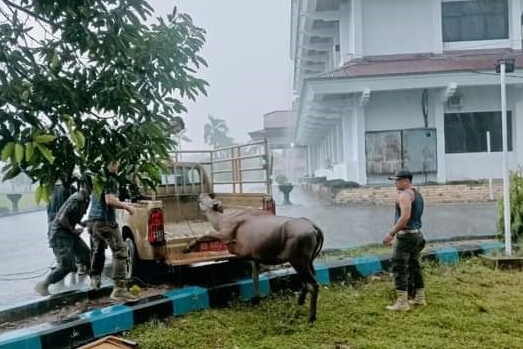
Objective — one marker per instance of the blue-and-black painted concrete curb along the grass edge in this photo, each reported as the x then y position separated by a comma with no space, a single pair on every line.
84,328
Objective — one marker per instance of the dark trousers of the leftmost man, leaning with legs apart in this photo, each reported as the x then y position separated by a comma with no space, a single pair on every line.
68,249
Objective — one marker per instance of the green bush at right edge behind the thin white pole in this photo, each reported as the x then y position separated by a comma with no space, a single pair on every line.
516,208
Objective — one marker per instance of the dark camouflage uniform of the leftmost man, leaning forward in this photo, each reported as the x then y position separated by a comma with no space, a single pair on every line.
66,245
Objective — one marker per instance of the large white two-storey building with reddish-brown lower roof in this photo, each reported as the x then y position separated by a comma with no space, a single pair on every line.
386,84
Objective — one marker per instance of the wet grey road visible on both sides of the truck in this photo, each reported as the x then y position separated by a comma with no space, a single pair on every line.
23,245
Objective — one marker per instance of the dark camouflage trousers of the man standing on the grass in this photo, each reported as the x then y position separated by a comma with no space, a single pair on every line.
406,264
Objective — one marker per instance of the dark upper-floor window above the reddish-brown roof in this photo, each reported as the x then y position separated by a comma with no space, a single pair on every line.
475,20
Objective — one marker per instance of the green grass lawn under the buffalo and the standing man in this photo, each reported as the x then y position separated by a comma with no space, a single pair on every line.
470,306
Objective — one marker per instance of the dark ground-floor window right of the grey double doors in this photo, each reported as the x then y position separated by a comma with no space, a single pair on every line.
467,132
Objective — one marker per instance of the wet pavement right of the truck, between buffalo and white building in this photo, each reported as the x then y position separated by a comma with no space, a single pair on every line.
356,225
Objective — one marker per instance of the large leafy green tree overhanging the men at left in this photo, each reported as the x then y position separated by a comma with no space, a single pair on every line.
84,82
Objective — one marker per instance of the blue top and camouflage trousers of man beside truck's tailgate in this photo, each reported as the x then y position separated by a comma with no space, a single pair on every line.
105,233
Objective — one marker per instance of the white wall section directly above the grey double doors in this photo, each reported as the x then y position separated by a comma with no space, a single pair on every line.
396,110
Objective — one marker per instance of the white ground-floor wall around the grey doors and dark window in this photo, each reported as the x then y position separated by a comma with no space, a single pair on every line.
402,109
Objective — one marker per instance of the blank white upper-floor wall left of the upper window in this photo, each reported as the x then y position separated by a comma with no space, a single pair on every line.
399,26
